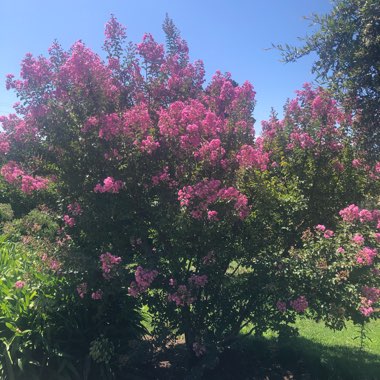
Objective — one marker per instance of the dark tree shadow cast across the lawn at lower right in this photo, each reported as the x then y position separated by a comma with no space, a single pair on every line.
298,358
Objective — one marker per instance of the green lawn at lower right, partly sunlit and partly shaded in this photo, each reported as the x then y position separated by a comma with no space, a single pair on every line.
318,353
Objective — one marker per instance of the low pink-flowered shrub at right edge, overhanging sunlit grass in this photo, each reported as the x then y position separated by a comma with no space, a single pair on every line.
345,282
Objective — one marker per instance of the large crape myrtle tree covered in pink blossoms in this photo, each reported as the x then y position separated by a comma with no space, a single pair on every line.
166,198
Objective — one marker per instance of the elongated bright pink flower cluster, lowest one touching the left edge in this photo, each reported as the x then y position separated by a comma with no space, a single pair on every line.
13,174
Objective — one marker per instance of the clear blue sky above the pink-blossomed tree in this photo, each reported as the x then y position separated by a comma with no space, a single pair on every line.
227,35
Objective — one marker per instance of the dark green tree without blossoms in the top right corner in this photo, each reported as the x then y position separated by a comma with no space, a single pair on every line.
347,44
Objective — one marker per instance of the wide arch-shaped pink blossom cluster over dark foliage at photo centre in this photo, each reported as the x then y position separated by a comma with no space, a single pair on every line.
201,195
